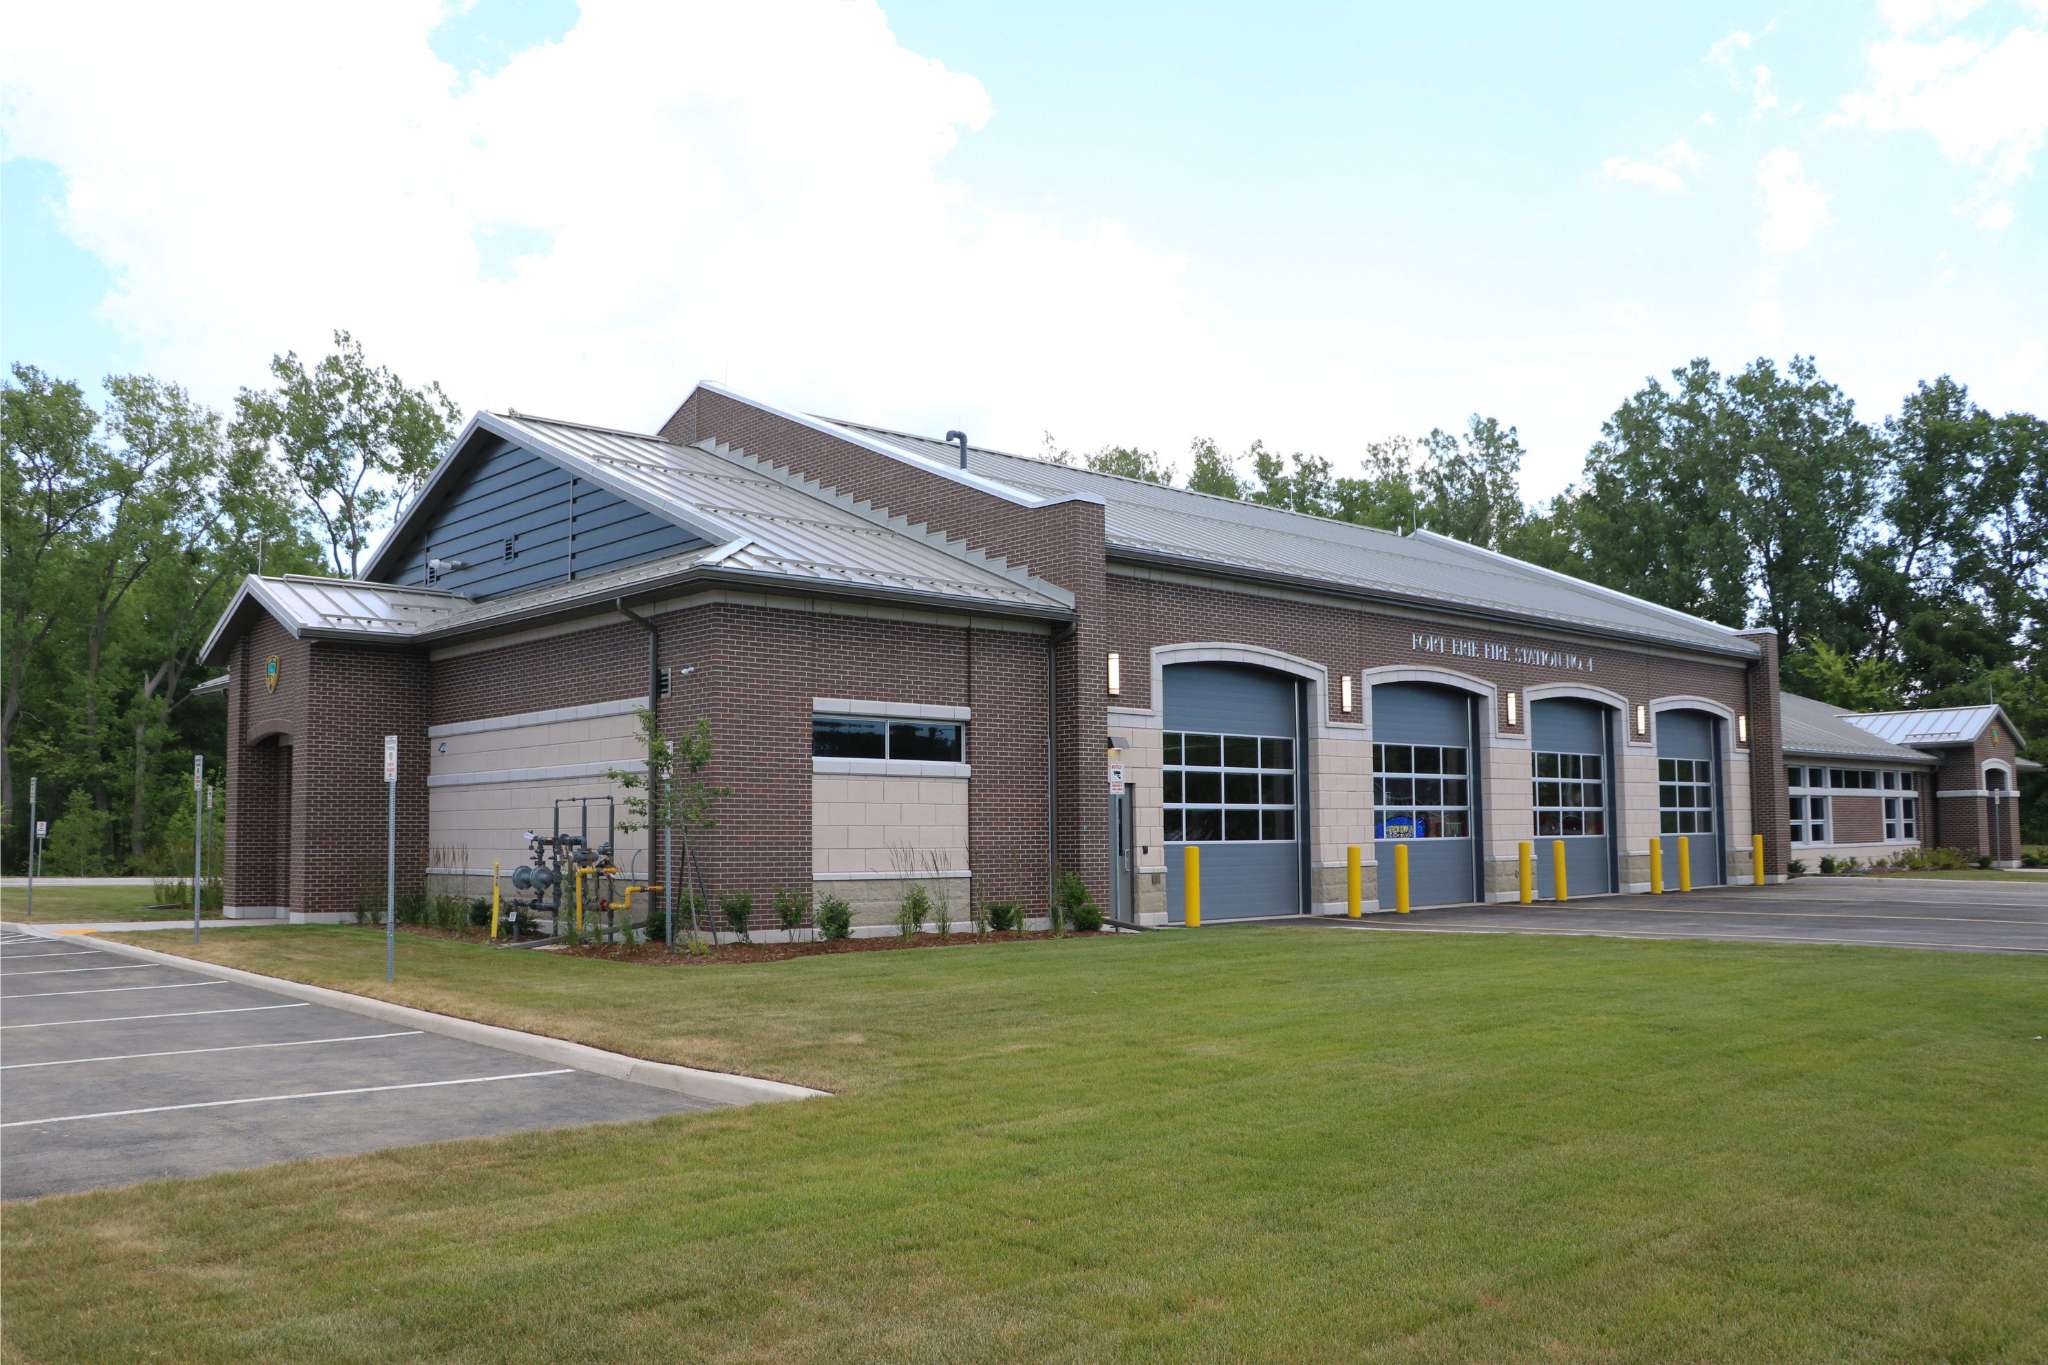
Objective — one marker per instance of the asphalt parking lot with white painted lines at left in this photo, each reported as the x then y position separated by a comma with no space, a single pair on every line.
118,1071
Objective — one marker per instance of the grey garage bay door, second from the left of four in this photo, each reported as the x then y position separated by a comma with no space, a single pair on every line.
1424,791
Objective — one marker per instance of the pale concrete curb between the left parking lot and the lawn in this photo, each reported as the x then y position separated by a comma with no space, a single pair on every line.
714,1088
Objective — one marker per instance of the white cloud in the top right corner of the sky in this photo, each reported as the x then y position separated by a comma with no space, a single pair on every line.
1983,99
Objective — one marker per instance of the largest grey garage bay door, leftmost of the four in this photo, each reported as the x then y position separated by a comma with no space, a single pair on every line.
1232,787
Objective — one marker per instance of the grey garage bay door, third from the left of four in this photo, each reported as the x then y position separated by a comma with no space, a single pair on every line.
1574,795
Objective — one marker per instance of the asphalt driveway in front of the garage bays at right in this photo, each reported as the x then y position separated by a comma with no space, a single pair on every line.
1998,918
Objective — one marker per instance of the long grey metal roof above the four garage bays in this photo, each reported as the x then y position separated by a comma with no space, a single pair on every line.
1199,531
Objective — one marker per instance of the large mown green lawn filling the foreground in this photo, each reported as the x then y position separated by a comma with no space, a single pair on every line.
1222,1145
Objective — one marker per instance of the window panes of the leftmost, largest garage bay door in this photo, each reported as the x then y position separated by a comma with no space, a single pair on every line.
1228,789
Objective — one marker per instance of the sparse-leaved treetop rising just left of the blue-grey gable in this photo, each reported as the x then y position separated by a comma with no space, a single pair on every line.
351,441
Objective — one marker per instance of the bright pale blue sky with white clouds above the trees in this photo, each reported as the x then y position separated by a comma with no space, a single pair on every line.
1142,224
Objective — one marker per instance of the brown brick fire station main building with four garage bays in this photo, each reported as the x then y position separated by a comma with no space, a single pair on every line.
925,662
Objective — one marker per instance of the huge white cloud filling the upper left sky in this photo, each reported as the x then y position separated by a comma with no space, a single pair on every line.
663,195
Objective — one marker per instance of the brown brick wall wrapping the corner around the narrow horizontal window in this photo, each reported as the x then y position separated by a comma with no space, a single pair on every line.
757,670
